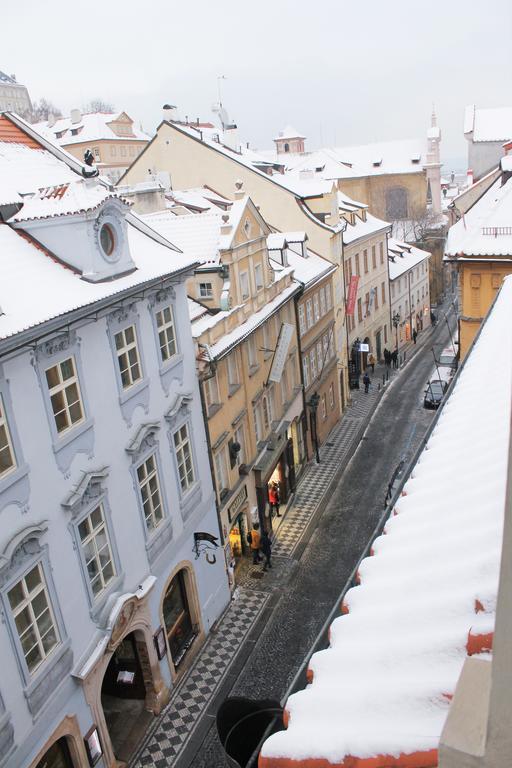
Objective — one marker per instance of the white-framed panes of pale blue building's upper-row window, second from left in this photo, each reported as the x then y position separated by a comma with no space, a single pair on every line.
64,390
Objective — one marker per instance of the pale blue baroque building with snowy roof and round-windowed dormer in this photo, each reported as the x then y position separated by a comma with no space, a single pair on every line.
105,594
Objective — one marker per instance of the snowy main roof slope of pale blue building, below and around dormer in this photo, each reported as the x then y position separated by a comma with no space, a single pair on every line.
35,287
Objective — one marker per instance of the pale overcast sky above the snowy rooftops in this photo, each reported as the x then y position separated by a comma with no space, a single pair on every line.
340,72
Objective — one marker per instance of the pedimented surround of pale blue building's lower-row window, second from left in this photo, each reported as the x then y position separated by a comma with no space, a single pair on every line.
85,496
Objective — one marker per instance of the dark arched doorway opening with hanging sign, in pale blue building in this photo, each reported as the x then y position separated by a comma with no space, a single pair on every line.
126,690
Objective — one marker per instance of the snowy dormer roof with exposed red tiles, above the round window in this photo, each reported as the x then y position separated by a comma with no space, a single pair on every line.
62,199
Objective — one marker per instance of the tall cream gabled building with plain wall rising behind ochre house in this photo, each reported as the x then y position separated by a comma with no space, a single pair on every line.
193,160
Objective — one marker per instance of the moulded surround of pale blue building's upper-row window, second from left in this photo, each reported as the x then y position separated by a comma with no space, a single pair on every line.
78,439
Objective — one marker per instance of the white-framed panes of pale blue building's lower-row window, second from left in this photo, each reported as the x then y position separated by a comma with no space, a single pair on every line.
96,550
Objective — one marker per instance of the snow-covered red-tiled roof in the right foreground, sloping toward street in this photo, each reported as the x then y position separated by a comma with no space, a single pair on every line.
382,689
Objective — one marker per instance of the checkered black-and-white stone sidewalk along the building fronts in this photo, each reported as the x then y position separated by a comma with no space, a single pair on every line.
168,737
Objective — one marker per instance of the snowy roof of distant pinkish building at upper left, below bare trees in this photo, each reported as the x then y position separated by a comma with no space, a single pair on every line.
90,127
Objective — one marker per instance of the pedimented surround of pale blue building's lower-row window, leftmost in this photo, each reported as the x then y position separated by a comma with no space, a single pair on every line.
22,552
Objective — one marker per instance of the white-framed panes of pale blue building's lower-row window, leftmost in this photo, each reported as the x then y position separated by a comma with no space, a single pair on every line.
33,617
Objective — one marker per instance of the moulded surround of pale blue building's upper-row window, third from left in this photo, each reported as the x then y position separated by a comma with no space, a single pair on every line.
138,394
